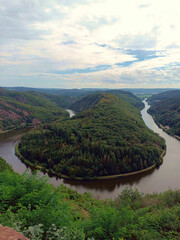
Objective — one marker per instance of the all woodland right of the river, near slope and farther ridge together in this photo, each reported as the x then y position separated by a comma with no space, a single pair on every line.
166,111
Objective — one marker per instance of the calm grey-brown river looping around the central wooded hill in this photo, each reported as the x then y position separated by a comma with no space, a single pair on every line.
156,180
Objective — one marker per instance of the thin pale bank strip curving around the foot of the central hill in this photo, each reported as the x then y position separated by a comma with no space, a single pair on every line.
50,171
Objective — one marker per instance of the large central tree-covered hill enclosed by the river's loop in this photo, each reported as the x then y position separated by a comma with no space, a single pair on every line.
108,138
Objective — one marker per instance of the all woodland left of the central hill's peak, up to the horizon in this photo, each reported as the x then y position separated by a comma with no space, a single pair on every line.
29,106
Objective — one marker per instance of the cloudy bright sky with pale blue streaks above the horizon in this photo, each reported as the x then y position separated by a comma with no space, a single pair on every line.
90,43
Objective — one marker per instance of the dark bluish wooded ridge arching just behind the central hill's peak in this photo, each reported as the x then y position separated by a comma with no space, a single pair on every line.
92,99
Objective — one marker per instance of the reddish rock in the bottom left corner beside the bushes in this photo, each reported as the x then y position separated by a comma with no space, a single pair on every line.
7,233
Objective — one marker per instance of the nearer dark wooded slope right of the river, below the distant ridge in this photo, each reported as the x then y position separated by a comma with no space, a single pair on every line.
167,115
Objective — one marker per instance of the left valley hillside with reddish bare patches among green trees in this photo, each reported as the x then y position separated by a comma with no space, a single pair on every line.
23,109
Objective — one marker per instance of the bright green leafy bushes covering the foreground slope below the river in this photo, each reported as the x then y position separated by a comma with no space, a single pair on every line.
30,205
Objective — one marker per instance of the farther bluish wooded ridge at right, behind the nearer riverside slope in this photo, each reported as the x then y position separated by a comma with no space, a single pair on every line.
156,98
